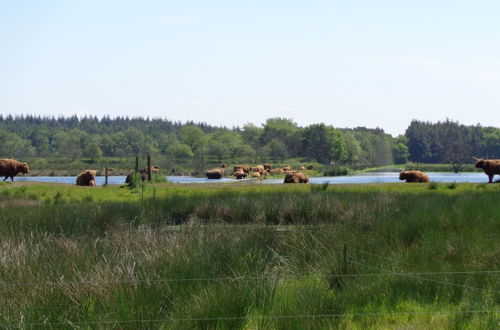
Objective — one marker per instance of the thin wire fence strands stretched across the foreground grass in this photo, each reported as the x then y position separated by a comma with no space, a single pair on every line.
351,260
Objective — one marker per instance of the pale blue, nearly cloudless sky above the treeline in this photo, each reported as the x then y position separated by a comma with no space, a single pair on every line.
343,63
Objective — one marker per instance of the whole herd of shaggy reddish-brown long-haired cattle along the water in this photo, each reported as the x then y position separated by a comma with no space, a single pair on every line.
10,168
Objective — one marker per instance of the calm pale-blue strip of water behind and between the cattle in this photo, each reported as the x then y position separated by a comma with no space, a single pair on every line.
358,178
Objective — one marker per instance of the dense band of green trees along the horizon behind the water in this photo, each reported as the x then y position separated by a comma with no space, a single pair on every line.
276,140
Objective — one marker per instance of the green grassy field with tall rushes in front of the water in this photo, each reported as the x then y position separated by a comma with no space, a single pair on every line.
250,256
